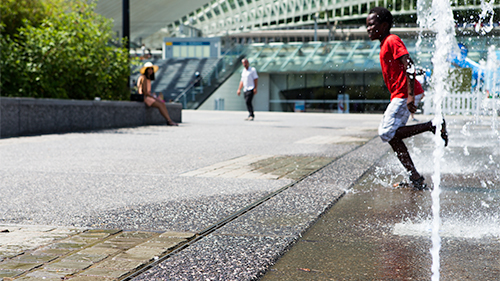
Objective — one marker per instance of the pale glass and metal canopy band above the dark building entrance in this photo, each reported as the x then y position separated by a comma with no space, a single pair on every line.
348,56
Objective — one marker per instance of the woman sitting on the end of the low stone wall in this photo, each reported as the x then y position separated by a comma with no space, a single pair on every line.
144,88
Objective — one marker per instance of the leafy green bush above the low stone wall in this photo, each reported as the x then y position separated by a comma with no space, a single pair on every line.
60,49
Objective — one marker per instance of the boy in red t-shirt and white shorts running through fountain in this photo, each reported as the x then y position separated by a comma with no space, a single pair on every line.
398,71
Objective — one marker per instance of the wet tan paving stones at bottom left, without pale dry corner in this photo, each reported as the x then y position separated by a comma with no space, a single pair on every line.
101,255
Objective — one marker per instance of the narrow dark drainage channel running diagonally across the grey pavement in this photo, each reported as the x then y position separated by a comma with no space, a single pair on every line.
203,233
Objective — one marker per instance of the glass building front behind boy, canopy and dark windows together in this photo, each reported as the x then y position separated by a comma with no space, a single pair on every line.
318,72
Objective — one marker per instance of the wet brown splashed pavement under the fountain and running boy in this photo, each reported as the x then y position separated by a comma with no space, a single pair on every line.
380,232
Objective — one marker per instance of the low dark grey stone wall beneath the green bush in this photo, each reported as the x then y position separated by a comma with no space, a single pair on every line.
29,116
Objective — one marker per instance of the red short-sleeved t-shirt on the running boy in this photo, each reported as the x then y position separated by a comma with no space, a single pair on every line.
391,49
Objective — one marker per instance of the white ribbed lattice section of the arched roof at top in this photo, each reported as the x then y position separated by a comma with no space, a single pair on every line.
221,17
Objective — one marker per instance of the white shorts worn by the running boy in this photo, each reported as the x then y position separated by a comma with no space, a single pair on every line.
396,115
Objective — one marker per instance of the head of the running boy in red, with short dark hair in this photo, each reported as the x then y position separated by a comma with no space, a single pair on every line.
378,23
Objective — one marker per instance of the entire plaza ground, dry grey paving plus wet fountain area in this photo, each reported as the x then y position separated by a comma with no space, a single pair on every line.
219,198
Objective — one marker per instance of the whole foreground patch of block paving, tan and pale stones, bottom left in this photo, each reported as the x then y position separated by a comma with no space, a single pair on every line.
56,253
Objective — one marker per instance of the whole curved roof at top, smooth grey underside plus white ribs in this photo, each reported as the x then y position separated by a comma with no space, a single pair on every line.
152,20
